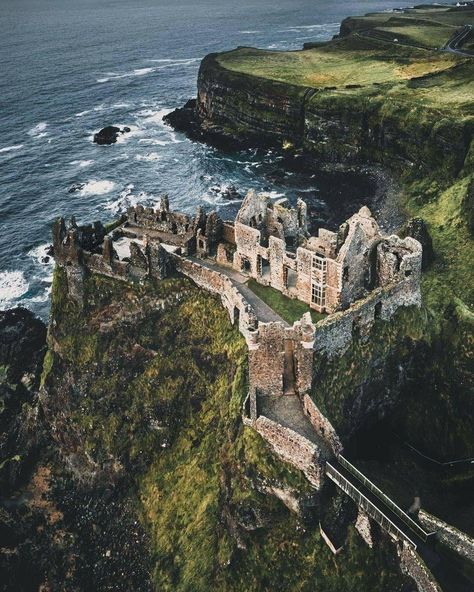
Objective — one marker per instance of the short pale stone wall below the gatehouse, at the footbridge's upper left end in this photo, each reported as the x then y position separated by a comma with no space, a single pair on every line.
293,448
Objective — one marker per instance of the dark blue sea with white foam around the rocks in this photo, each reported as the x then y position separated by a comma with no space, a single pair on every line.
71,67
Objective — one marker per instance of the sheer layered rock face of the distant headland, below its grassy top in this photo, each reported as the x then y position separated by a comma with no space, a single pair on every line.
339,125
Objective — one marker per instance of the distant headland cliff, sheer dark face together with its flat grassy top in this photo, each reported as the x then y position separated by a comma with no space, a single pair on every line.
399,121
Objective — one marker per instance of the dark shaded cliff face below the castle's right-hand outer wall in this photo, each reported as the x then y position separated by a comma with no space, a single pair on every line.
402,368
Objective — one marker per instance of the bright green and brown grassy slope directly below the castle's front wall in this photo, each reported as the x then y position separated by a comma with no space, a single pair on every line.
197,477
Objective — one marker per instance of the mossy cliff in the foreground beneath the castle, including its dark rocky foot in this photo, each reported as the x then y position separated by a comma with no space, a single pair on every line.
143,397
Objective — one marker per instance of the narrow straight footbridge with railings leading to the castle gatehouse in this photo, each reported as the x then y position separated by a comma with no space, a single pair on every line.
375,502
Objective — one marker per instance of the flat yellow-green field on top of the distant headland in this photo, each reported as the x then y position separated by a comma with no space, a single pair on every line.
377,49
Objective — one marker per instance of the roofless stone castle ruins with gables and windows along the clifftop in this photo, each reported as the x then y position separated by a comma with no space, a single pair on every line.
268,242
